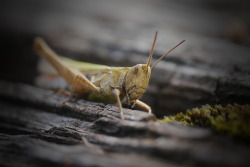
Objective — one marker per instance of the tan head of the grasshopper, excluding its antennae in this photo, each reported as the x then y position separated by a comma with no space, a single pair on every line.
136,81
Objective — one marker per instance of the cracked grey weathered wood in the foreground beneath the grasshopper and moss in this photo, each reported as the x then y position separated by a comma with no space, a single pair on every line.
39,128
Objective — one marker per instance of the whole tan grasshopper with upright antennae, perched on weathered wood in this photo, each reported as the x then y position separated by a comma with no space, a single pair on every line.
107,84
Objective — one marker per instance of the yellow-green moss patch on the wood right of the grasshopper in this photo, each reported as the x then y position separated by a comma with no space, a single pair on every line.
233,120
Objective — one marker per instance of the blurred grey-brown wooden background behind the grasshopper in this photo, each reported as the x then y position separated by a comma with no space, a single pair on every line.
120,33
